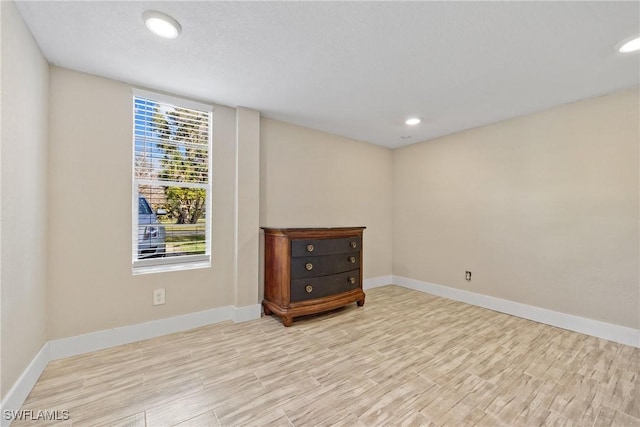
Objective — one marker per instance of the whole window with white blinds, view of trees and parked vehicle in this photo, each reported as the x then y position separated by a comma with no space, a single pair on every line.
171,183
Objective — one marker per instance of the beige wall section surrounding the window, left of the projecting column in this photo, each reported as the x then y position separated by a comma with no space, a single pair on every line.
91,286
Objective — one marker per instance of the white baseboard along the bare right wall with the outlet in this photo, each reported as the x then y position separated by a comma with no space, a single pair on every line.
596,328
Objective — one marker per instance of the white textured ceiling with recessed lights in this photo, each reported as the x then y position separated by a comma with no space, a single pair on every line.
356,69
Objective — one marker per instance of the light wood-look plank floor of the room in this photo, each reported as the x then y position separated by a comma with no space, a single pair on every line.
405,358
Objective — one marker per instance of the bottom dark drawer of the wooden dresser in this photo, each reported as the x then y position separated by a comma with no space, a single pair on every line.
318,287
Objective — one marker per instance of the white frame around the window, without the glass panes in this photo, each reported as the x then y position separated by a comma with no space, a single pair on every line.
182,262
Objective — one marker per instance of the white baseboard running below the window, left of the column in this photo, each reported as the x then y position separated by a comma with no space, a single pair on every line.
79,344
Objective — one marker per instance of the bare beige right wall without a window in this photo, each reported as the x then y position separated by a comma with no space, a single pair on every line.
542,209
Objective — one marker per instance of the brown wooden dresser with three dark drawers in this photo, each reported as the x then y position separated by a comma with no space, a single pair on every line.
310,270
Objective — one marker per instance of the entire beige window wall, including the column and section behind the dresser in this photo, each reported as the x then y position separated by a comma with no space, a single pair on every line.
90,184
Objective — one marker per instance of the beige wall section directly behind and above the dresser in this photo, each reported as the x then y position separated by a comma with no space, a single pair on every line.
311,178
